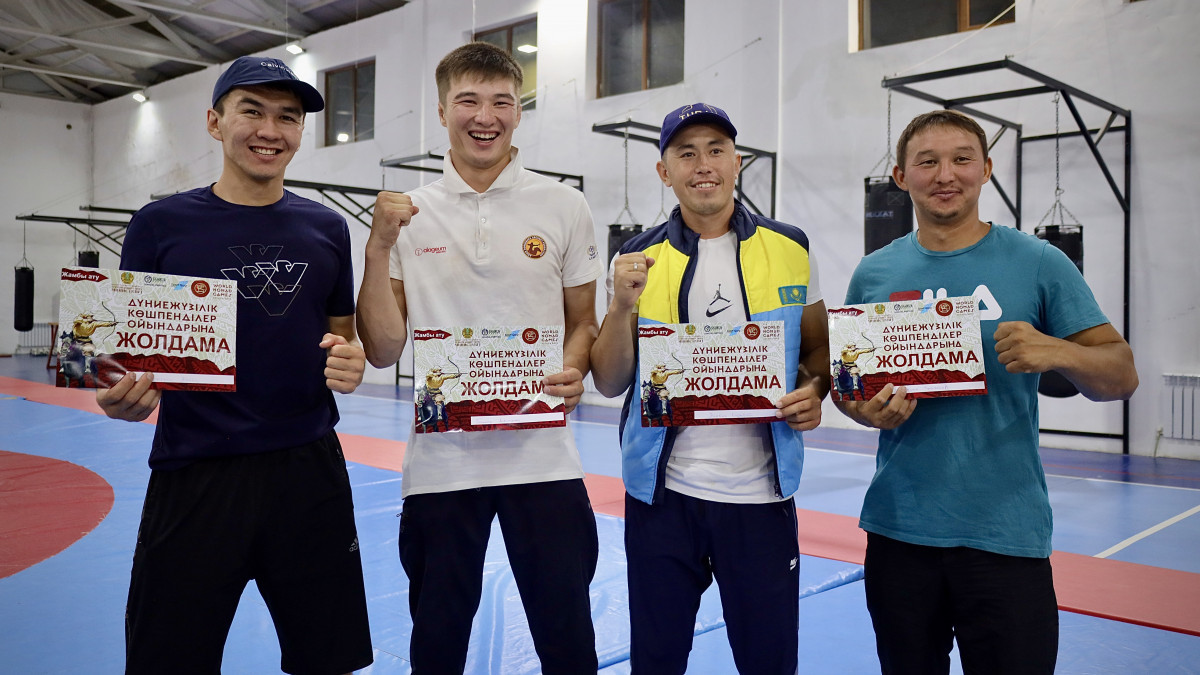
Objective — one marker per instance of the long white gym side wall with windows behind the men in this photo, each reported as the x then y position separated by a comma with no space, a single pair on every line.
784,73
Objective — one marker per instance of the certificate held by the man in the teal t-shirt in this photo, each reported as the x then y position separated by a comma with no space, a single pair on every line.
932,348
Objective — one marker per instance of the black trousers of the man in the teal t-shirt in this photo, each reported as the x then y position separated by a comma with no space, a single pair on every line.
1001,610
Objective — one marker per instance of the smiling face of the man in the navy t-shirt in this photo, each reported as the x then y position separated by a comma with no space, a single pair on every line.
260,132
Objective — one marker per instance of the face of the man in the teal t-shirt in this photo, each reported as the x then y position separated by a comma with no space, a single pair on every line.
945,171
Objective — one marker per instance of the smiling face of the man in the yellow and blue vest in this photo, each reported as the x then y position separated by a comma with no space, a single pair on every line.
701,166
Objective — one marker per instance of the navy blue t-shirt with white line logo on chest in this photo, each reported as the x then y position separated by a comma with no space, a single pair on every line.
292,264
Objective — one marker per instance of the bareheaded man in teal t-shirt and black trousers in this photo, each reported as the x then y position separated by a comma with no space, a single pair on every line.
957,516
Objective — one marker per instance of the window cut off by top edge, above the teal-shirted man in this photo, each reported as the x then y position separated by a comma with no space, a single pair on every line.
889,22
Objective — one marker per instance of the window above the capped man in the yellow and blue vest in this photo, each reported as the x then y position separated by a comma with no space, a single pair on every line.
641,45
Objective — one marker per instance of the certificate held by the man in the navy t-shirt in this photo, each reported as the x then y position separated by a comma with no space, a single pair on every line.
183,330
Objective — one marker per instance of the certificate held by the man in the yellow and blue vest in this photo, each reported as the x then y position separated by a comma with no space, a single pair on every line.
695,374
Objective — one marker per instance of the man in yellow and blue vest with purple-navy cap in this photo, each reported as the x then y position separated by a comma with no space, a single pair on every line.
713,501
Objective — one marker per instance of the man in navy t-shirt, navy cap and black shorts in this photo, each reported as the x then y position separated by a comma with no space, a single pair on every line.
251,485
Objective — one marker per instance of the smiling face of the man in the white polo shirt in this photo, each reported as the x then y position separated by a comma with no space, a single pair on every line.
481,116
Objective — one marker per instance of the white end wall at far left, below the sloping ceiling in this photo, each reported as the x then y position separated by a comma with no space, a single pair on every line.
46,170
